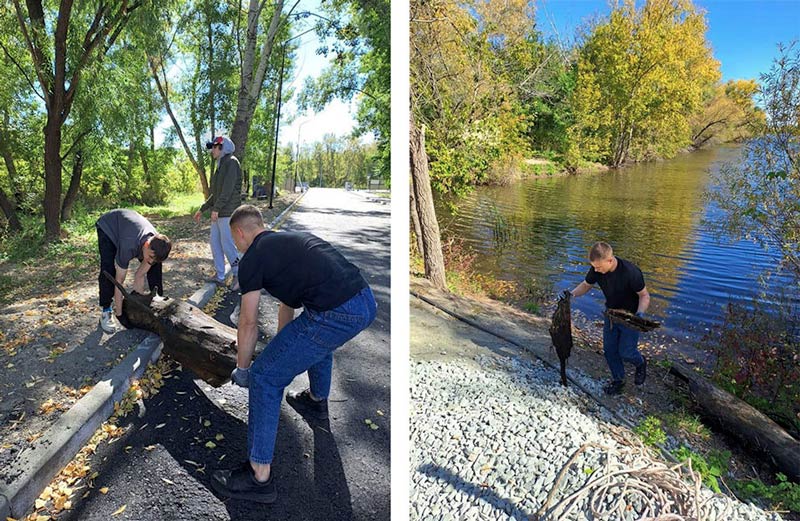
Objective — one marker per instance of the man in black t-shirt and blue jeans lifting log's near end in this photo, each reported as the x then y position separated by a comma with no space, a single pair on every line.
300,270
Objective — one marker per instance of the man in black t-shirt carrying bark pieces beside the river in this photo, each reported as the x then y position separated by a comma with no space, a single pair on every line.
623,286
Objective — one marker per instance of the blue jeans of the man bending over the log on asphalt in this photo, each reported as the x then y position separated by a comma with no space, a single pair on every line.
306,343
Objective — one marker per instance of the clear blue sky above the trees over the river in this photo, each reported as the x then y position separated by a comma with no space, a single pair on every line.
743,33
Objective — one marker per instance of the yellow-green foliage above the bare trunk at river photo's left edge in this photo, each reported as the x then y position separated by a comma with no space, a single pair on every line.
463,58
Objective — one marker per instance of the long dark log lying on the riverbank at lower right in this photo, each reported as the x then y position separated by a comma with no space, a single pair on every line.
747,424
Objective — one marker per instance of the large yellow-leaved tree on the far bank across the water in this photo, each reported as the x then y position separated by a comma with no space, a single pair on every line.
642,74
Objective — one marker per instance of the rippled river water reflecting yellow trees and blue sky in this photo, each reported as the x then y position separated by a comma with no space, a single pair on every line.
538,233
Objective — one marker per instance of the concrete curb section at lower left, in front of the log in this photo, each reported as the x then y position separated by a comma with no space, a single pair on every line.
37,465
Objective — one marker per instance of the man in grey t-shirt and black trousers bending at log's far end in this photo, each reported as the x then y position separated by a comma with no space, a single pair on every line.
123,235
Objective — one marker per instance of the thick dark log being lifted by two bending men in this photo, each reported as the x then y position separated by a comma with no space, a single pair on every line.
194,339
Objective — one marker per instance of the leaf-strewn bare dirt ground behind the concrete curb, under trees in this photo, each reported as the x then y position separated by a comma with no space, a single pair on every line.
52,350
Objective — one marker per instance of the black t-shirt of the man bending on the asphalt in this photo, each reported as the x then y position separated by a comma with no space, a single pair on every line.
300,270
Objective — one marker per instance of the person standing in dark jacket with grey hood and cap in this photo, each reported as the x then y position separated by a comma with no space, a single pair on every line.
226,196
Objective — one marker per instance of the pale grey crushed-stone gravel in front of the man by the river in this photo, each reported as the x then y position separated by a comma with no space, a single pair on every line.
487,442
